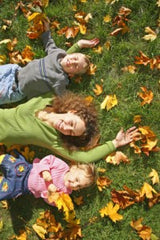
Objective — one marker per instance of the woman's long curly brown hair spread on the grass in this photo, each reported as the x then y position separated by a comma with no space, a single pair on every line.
85,110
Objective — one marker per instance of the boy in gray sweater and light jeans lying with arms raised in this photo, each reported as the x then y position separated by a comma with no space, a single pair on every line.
46,74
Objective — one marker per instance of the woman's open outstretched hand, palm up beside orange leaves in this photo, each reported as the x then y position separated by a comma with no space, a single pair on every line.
124,138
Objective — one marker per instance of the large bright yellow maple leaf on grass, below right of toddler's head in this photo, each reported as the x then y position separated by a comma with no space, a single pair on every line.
111,212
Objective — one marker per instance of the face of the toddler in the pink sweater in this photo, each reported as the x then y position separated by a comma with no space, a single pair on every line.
75,179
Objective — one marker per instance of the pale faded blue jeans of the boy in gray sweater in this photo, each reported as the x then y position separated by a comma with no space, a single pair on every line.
9,91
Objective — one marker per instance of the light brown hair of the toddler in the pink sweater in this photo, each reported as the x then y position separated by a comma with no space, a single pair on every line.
89,172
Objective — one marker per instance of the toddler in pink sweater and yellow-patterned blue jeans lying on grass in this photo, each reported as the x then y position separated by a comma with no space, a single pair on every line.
42,178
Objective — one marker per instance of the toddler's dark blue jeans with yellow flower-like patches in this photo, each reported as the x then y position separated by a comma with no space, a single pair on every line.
14,181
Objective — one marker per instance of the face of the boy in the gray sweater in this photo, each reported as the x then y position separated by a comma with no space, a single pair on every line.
74,63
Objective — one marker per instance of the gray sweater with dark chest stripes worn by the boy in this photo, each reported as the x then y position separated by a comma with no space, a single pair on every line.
44,74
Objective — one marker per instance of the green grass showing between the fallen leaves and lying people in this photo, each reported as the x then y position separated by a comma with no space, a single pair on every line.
24,211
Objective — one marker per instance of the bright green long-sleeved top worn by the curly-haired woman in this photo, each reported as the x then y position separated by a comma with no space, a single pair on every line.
20,126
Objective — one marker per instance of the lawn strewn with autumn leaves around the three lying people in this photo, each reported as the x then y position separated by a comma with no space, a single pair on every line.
126,63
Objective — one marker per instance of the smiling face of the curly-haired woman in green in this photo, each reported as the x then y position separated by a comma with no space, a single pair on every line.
70,124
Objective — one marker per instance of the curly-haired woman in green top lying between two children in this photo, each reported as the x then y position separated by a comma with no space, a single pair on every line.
61,124
